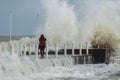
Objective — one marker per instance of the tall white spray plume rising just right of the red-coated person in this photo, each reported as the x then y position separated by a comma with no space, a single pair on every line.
60,23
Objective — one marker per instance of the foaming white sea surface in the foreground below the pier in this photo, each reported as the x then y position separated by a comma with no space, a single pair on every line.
16,67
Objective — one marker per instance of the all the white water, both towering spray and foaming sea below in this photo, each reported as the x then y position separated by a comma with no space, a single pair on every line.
98,17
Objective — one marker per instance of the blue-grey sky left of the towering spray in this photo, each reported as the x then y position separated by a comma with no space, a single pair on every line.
24,16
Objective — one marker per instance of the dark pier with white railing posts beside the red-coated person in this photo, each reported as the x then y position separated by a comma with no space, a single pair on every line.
80,56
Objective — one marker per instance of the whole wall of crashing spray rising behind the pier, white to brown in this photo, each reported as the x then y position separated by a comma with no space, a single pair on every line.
80,21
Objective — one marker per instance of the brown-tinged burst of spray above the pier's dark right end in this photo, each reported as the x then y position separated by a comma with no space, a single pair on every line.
105,34
